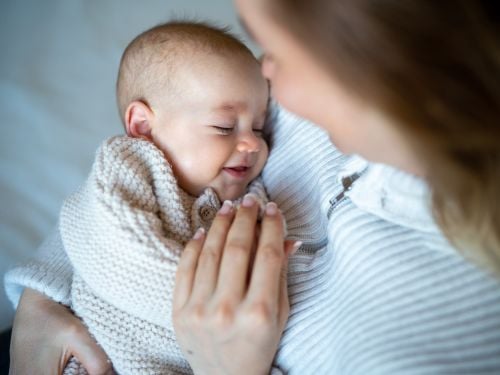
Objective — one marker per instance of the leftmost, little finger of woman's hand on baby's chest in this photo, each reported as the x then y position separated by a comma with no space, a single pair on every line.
186,270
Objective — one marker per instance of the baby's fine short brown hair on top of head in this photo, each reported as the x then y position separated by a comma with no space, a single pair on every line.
150,60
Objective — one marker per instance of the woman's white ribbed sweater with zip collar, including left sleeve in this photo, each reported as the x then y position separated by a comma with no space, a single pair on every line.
375,289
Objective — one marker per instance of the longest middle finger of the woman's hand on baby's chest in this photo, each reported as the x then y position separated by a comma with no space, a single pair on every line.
232,282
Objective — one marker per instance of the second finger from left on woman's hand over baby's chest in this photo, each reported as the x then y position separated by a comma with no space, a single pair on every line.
208,263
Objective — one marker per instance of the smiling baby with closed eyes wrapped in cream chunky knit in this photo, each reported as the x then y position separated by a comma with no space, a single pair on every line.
193,103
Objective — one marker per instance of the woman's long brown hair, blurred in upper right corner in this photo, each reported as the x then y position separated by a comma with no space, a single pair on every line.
434,67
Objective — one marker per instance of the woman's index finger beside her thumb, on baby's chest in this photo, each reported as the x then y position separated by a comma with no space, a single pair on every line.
269,260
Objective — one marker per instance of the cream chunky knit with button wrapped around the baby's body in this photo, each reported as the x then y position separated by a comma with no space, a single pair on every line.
124,232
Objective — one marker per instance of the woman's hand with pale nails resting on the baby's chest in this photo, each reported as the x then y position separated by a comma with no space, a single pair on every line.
229,311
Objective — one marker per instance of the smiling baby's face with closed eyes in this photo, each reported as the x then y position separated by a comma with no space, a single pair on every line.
212,131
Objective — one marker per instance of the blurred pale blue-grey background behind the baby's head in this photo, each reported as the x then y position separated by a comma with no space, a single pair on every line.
58,64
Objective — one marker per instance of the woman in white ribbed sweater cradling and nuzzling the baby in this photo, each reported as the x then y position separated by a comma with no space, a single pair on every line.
377,288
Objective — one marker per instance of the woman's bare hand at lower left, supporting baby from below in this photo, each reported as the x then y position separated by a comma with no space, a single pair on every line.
46,334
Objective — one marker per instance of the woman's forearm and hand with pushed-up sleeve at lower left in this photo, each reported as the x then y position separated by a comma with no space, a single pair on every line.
45,332
